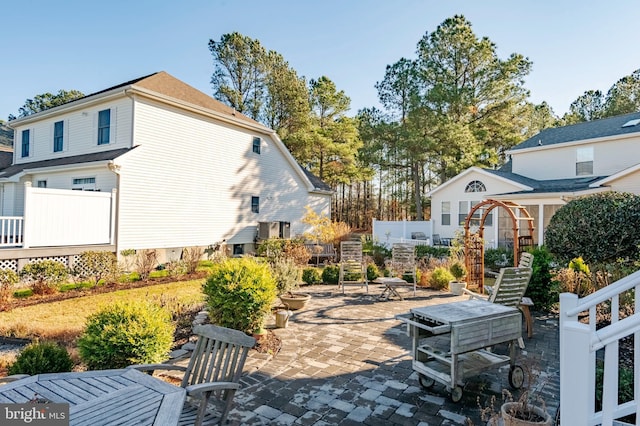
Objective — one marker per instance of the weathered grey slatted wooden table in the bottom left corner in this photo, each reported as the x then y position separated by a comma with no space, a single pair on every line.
104,397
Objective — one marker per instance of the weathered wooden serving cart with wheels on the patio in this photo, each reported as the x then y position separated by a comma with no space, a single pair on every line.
450,342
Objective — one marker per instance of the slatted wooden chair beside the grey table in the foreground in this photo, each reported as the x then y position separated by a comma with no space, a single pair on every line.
212,376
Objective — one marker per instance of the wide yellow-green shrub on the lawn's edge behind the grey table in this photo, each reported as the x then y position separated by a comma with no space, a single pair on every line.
126,333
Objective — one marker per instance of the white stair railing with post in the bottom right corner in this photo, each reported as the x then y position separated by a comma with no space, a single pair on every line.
578,345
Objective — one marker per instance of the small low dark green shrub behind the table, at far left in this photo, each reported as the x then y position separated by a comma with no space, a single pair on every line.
38,358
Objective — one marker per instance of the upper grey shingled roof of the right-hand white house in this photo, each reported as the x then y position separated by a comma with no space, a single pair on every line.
611,126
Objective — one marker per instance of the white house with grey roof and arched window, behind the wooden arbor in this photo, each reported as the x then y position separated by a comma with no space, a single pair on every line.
542,174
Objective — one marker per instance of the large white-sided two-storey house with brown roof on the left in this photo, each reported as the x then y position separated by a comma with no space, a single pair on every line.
187,169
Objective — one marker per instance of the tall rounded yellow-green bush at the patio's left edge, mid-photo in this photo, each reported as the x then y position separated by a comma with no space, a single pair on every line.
239,293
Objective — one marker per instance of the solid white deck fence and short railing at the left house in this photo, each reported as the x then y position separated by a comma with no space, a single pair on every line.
61,217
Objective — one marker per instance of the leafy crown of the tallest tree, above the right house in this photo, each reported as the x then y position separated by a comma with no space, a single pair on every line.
471,100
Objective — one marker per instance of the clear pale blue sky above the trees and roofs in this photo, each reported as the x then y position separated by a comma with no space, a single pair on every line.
88,46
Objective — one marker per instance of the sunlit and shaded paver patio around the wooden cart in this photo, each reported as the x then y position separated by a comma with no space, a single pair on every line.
345,360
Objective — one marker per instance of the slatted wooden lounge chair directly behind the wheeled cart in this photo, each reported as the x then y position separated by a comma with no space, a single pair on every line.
509,290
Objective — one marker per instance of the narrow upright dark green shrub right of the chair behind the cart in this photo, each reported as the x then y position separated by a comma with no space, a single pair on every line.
542,289
